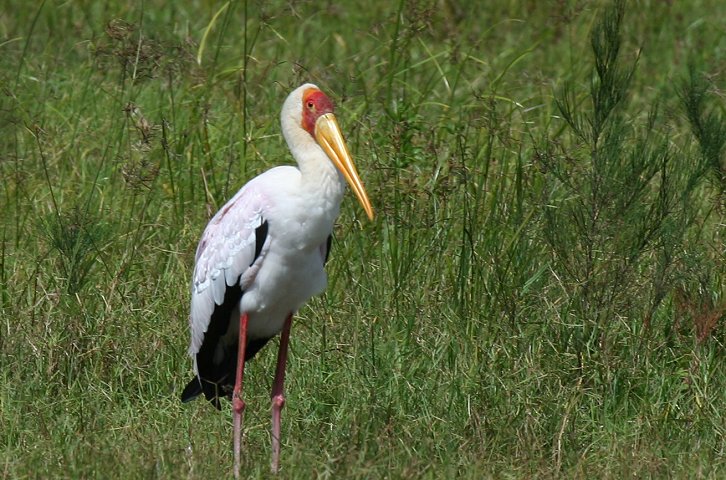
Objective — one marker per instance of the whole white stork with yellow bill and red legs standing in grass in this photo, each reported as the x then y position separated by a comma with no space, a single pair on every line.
262,256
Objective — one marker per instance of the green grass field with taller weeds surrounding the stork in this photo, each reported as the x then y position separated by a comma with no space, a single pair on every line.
541,295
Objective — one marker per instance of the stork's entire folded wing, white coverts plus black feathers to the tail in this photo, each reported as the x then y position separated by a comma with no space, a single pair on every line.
230,253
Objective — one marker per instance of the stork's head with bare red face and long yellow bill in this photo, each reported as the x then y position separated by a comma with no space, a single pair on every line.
307,109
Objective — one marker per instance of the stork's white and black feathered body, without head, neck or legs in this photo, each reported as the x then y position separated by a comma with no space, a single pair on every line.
265,268
